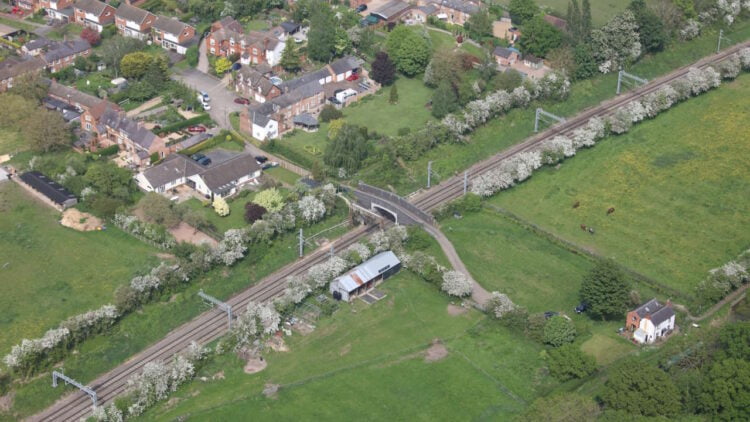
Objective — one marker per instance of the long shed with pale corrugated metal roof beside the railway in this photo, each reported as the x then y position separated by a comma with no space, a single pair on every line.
365,276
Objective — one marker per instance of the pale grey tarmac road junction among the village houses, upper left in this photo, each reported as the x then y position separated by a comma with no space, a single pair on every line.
222,100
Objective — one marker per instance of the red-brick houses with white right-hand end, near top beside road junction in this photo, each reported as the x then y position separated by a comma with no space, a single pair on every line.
227,38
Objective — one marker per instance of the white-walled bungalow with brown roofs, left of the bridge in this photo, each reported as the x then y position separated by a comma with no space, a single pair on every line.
220,180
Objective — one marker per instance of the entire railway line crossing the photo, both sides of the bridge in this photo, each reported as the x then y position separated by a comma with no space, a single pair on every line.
211,325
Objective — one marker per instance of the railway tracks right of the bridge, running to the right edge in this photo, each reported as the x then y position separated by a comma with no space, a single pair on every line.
452,188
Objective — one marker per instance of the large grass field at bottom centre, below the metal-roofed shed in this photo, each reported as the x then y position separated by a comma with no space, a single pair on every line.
369,365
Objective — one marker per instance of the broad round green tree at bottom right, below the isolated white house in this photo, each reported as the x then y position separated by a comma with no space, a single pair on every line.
641,389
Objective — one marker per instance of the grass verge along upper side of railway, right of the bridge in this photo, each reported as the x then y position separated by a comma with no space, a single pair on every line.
512,128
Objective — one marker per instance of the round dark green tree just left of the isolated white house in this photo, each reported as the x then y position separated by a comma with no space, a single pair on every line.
606,290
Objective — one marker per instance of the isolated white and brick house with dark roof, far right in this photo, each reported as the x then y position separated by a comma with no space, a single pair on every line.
650,321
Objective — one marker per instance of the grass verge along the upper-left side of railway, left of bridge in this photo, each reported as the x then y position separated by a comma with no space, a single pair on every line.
141,329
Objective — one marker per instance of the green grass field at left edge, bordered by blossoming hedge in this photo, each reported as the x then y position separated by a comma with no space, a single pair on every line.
50,272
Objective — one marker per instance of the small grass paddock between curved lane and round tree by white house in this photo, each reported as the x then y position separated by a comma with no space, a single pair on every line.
504,256
